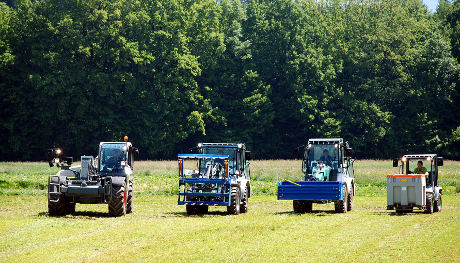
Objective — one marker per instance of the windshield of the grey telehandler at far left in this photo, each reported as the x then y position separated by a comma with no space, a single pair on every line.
111,156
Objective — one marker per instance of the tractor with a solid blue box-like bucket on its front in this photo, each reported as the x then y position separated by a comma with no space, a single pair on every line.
329,177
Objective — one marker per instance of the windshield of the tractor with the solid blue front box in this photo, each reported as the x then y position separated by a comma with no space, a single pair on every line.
322,154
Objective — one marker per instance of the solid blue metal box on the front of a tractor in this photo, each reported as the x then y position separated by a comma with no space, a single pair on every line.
309,190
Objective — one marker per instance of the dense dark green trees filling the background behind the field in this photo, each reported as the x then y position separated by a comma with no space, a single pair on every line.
383,75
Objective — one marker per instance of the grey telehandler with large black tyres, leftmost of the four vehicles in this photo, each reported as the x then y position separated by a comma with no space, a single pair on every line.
104,179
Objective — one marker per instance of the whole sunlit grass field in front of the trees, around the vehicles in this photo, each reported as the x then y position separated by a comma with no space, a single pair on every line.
159,229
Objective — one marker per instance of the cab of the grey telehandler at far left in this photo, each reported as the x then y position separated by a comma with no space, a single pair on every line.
116,158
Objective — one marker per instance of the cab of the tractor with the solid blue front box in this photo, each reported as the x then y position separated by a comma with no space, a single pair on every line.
323,158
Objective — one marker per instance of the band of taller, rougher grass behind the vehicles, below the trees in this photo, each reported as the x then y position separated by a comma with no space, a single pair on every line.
160,177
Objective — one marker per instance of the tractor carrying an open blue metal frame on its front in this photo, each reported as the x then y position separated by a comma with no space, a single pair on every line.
218,176
